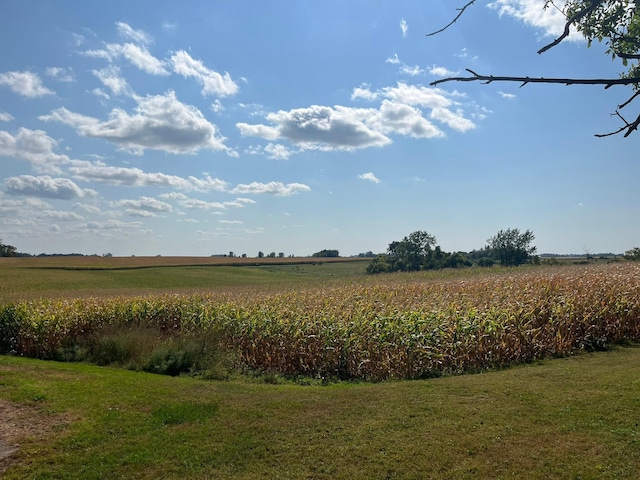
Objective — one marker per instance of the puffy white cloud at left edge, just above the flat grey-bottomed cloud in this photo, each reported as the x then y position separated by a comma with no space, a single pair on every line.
35,147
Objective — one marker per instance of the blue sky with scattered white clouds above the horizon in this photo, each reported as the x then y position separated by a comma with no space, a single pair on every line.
208,127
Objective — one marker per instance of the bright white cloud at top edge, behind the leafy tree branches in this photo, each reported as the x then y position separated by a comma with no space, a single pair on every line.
532,12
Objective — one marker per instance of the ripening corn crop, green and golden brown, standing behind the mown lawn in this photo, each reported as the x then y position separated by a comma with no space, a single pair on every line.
405,328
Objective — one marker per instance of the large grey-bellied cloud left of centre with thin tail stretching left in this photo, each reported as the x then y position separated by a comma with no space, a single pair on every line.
159,122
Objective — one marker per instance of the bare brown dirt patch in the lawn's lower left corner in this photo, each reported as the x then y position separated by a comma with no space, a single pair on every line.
20,422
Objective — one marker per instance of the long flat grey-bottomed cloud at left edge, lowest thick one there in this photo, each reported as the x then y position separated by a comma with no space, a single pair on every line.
45,187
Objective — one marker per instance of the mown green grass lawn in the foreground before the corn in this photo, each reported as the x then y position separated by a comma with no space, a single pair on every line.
567,418
